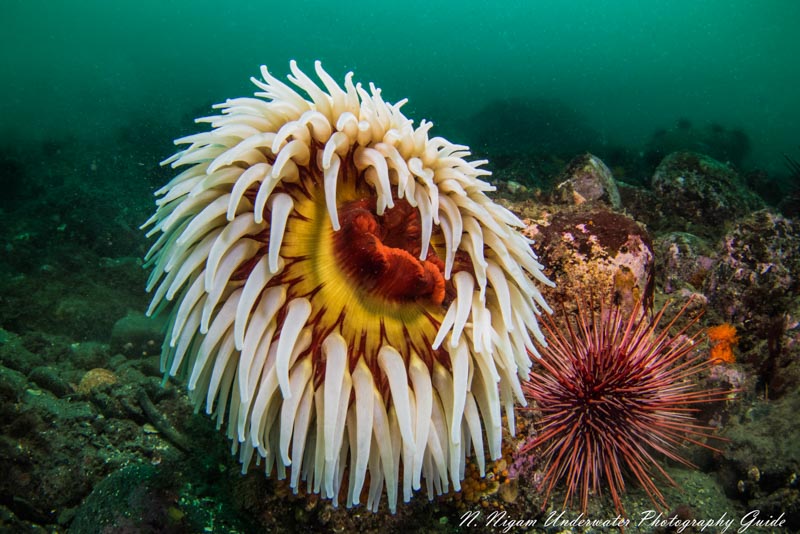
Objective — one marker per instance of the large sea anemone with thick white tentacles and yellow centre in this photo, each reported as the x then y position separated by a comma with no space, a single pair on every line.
343,290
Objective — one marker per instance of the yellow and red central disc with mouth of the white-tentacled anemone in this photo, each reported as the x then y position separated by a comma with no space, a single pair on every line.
365,280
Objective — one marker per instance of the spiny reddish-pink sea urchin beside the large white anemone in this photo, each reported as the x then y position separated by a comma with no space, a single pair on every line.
614,393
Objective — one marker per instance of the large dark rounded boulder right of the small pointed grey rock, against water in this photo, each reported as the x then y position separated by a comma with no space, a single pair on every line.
695,194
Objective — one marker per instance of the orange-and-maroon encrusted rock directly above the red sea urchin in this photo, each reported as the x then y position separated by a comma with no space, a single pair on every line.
594,251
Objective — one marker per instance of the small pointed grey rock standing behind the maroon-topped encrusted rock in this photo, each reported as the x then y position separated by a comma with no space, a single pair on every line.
587,179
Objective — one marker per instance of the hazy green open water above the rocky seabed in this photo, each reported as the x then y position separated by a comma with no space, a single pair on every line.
84,69
